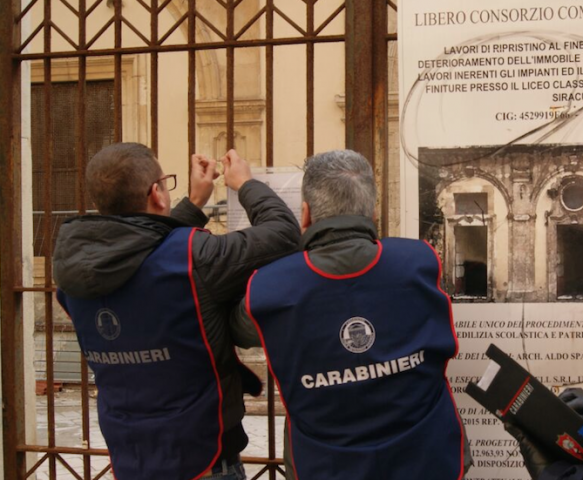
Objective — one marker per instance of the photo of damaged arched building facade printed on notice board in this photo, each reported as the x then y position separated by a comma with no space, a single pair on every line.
506,219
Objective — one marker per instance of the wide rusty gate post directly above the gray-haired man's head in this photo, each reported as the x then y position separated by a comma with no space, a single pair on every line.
359,94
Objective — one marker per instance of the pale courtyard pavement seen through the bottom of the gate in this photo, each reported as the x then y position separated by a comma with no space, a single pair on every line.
69,434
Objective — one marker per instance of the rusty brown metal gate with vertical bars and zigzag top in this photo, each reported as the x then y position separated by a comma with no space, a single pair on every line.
365,42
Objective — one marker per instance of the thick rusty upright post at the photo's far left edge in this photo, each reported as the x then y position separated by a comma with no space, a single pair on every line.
10,241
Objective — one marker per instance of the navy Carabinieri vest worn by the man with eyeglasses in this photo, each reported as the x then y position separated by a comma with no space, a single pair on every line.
159,395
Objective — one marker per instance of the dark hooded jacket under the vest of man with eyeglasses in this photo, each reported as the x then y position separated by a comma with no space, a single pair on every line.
95,255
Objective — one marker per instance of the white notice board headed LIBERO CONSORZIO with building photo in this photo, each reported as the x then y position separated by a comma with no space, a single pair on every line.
491,130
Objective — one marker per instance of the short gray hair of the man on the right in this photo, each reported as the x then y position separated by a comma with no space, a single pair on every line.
339,182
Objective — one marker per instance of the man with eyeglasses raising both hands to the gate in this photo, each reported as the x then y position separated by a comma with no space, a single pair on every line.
149,293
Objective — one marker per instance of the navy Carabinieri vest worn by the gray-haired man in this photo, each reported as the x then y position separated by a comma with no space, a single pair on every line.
360,364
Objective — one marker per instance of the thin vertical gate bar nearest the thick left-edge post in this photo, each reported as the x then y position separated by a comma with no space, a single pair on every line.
48,244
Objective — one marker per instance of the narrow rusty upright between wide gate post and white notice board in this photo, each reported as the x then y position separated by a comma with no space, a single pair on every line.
380,79
